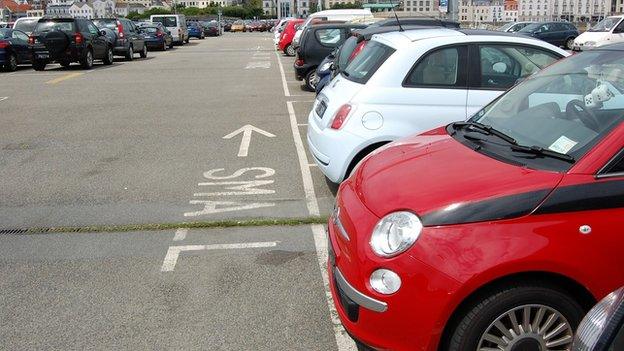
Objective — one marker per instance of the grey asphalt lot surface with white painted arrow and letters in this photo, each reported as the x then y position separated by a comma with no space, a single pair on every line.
212,131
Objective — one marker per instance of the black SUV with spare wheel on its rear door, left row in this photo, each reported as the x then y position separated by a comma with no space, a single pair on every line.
67,40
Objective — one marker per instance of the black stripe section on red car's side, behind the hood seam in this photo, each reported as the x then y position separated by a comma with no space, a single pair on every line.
584,197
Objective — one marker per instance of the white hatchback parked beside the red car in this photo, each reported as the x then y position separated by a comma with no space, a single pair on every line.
403,83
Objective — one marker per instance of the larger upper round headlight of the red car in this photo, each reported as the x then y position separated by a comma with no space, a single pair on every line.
395,233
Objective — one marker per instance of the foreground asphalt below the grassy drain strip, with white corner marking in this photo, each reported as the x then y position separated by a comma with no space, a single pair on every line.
108,291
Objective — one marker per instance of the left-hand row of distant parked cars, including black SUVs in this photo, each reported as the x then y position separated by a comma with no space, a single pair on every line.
40,41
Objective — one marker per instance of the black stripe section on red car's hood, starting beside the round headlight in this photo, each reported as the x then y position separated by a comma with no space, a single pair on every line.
503,207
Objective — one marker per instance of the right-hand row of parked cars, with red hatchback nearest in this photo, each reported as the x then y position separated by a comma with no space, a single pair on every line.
481,181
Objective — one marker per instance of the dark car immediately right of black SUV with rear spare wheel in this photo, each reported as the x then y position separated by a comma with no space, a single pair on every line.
126,37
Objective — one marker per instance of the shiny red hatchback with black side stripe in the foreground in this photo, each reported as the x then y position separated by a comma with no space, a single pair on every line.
498,233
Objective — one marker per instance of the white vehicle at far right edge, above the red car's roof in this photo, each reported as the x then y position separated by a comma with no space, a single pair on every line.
608,31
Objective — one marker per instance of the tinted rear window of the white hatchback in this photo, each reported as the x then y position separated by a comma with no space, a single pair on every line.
367,62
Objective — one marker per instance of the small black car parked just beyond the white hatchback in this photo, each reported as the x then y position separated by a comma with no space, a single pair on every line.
316,42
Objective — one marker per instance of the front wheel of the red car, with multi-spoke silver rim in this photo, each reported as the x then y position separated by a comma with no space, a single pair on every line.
497,318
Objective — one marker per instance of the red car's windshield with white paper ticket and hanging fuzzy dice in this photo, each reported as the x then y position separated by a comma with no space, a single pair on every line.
566,108
